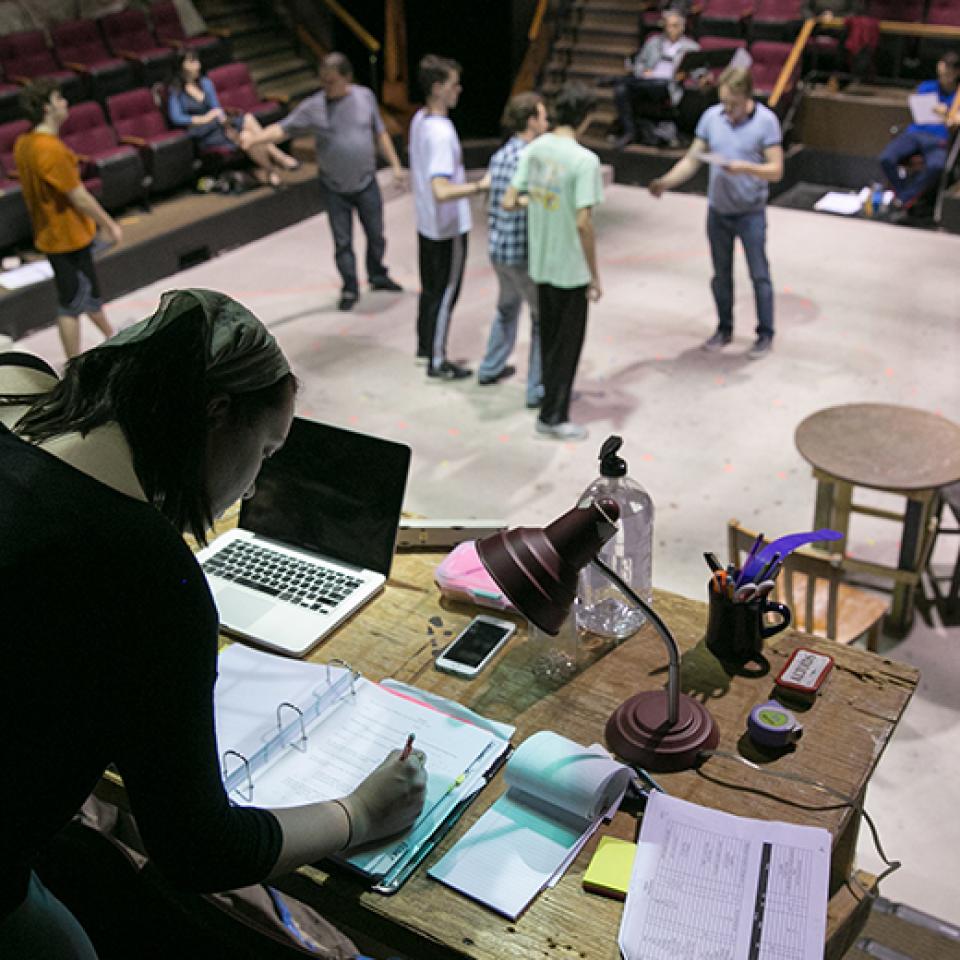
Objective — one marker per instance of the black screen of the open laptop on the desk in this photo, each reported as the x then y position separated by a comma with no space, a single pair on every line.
332,492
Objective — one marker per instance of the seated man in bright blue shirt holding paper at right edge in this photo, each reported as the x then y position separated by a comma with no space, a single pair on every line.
928,139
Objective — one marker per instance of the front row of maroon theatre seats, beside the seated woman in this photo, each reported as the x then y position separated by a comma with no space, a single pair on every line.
134,155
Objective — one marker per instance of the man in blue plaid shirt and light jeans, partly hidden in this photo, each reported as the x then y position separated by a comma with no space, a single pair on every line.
525,117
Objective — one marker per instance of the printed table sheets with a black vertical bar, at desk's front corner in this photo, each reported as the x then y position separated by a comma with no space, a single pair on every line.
708,885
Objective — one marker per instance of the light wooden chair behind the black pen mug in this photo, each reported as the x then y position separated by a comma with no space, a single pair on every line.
811,585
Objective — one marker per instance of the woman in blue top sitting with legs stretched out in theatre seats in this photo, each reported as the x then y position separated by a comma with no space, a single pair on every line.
194,106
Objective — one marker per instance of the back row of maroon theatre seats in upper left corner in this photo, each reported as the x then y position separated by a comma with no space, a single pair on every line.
92,59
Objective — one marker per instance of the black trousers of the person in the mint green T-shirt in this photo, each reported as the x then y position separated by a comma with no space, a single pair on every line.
563,324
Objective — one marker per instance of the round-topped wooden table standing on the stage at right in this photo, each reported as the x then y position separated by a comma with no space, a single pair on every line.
894,449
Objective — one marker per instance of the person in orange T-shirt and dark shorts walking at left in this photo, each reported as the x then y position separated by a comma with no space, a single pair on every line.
64,213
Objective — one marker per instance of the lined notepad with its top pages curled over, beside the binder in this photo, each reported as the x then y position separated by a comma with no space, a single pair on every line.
558,790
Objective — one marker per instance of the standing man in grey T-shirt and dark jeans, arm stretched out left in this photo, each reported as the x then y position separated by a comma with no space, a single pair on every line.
345,119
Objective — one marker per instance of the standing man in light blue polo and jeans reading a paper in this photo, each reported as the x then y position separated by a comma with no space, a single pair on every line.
741,141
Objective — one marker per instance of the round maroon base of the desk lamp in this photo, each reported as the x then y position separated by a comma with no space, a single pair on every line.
637,731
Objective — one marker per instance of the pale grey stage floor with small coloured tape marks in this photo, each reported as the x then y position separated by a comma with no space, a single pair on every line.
865,312
